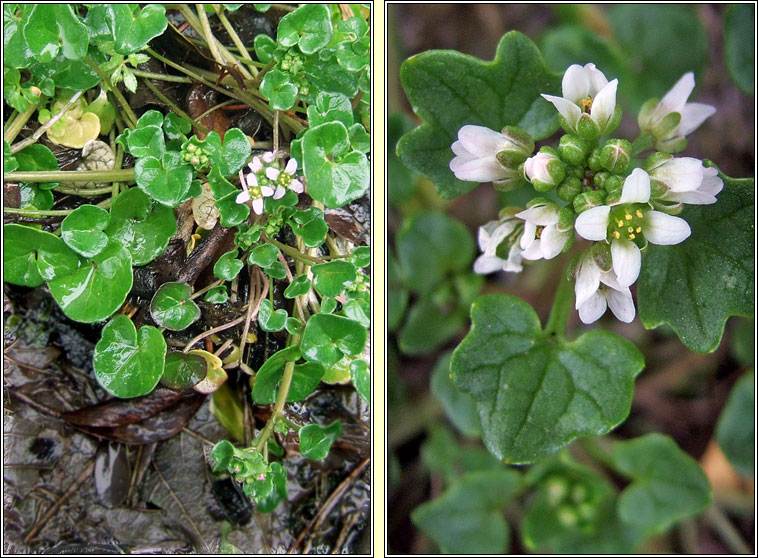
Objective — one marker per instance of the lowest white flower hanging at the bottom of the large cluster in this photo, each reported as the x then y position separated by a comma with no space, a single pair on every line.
596,290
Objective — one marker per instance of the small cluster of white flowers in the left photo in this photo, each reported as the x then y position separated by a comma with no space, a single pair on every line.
267,180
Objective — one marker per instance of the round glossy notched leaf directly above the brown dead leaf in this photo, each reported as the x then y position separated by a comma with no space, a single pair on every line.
127,363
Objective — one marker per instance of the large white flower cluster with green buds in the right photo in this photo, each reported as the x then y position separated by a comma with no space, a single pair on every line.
601,198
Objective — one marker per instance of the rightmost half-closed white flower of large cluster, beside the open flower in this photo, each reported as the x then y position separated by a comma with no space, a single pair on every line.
686,180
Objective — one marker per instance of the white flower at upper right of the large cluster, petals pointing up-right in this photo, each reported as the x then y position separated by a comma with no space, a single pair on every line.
675,101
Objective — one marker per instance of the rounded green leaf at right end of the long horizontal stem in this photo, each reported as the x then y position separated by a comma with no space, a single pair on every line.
168,181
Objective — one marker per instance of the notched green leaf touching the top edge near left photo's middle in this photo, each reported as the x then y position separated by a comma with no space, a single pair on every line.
133,30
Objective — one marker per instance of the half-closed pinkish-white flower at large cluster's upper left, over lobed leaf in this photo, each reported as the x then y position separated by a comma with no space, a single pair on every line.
476,154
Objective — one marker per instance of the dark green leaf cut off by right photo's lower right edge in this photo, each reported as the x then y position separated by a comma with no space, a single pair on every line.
735,431
